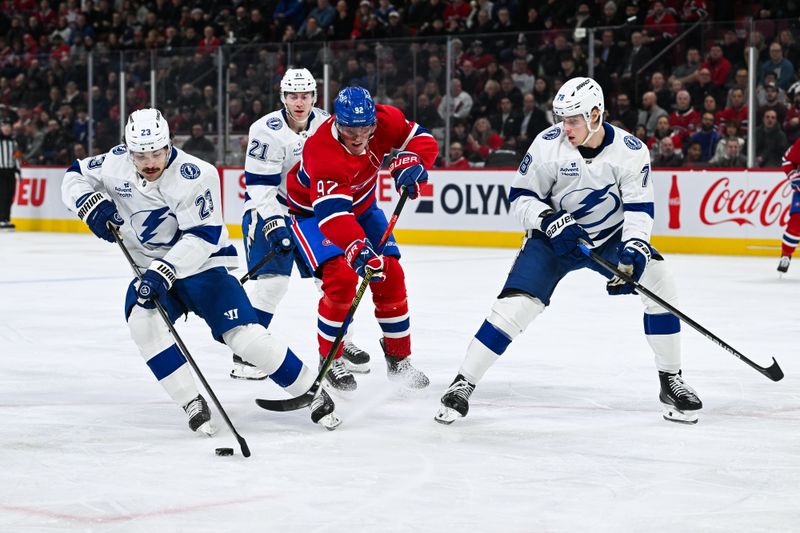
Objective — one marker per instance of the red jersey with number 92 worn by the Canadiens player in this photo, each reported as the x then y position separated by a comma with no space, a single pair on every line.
336,186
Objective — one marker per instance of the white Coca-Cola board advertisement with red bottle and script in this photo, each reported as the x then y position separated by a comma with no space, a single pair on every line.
726,204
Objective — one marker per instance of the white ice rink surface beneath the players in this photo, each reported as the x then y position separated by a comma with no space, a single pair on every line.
564,434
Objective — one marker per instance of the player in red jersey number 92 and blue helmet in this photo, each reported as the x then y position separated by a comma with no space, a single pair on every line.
338,225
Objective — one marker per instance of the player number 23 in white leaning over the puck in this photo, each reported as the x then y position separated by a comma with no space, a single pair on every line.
166,204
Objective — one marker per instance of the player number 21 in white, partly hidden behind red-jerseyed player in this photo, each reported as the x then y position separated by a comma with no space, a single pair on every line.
274,146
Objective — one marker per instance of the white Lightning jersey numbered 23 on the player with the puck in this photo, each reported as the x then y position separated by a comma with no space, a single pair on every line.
177,218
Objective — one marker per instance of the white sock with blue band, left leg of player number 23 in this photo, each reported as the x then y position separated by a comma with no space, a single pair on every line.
161,354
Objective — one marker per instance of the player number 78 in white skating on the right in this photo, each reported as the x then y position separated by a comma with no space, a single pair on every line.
581,180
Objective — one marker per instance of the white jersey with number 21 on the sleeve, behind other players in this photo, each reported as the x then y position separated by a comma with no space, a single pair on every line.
273,148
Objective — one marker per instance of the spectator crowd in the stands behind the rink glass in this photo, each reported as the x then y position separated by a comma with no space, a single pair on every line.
689,105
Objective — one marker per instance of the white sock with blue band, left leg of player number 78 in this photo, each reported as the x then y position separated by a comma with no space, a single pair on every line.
509,317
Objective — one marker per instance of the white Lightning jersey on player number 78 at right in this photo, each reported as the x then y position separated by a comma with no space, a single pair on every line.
609,191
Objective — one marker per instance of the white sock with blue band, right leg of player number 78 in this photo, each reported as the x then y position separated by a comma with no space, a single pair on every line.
661,328
